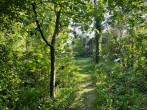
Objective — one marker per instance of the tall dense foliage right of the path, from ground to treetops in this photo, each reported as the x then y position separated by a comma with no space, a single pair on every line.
121,85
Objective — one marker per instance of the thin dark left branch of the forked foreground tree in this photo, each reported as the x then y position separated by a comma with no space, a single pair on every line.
39,27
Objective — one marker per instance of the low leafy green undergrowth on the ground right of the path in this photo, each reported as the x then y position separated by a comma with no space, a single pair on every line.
119,88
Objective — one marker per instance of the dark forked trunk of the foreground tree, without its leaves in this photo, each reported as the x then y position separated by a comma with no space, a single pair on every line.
51,45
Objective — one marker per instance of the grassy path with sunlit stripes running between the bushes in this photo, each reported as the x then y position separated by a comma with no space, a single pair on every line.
85,98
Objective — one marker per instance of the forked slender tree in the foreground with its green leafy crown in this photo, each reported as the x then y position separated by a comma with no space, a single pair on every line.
60,8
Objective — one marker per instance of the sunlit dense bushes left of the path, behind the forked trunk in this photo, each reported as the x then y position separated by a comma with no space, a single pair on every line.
25,70
